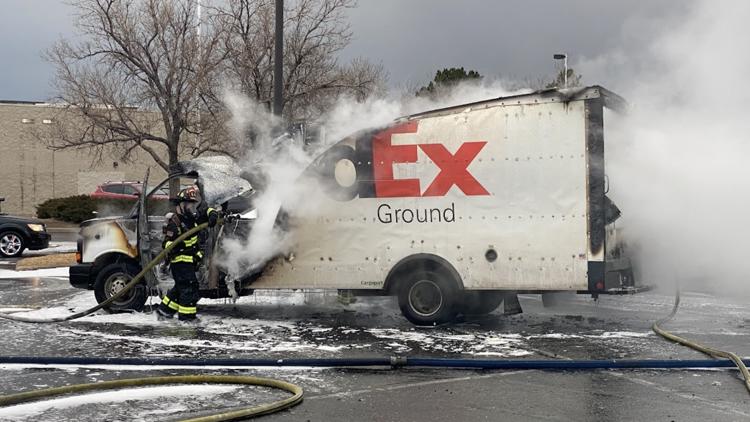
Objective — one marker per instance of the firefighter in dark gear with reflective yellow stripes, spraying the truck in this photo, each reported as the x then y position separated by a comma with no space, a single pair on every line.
186,256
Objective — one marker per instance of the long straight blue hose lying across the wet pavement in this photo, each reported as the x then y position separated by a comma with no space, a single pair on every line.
383,361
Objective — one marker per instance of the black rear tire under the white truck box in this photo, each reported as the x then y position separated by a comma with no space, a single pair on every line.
428,297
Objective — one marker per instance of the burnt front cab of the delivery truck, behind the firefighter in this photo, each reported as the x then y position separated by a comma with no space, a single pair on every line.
111,251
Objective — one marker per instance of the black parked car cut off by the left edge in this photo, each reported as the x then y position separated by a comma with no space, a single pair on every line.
18,234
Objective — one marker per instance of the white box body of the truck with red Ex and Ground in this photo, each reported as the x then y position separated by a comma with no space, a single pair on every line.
521,177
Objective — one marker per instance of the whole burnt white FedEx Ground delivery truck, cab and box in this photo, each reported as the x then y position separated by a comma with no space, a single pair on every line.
452,211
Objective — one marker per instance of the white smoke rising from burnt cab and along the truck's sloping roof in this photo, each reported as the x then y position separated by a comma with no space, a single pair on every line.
280,161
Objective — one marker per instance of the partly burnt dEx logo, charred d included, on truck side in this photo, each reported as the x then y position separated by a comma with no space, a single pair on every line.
373,160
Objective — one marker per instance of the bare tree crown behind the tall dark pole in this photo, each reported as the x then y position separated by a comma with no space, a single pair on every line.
315,32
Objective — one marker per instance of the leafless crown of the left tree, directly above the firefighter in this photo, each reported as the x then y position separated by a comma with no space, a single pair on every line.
135,79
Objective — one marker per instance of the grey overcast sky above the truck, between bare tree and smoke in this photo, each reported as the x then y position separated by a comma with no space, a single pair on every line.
508,39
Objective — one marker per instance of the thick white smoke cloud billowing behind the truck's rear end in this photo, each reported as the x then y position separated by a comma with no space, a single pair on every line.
677,161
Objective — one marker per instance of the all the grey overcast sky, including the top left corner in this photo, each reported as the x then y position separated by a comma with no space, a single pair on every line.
411,39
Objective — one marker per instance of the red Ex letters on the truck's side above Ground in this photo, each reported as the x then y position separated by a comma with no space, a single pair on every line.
453,167
